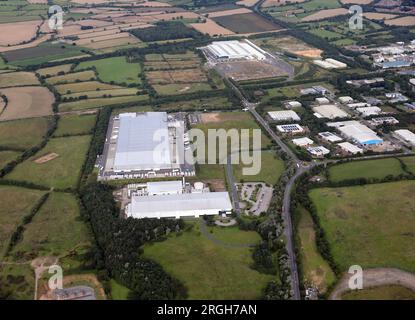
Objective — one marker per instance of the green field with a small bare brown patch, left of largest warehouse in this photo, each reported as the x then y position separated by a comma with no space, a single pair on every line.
62,172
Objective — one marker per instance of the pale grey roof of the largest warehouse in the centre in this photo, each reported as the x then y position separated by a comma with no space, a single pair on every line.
137,146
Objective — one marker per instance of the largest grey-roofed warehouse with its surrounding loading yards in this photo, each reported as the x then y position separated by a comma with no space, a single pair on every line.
145,145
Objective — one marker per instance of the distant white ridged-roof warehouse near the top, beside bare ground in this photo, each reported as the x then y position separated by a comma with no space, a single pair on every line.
229,50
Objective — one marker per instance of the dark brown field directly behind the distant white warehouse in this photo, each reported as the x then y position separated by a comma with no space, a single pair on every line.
246,23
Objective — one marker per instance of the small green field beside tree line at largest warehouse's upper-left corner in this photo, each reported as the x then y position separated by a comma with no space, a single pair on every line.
73,124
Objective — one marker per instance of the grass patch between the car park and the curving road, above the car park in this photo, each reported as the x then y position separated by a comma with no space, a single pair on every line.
271,169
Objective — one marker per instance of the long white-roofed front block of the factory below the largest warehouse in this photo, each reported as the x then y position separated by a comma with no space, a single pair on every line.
179,205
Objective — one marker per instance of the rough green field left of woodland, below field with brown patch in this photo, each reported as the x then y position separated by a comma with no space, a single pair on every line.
56,229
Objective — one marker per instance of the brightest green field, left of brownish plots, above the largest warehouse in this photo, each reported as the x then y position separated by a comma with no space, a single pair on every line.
115,70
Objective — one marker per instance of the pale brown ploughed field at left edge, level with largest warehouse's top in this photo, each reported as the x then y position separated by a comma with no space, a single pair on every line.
27,102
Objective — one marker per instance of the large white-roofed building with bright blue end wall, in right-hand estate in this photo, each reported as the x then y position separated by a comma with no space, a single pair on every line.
357,132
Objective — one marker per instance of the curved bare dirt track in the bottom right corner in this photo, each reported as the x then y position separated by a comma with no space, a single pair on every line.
377,277
